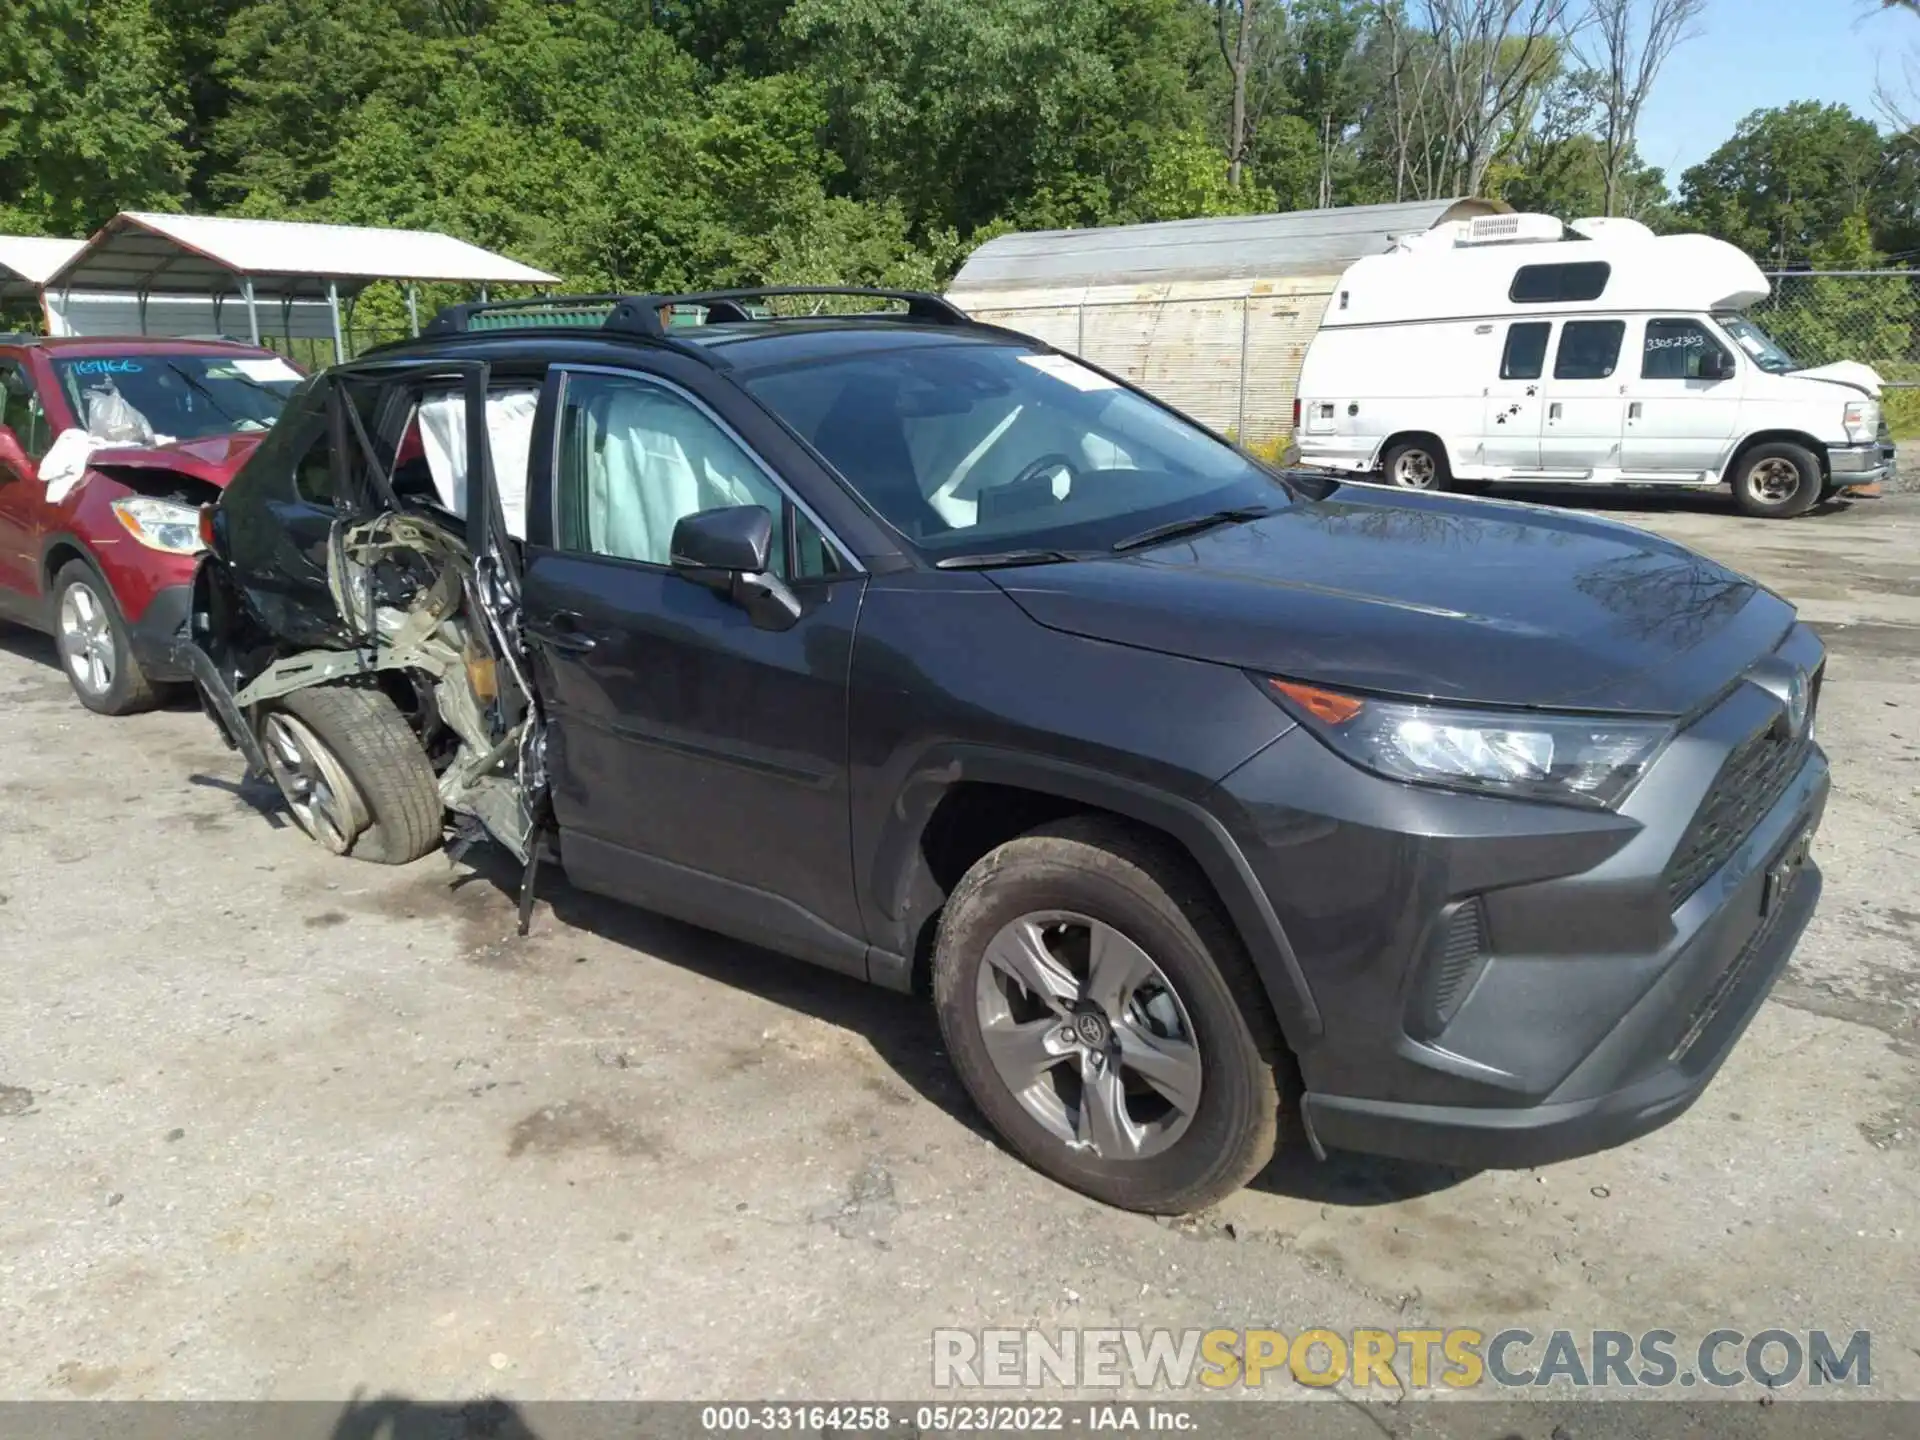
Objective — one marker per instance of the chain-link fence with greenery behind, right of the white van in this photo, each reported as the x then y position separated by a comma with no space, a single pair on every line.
1861,316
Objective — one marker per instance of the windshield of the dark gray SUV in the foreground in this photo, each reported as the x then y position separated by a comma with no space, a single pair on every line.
971,448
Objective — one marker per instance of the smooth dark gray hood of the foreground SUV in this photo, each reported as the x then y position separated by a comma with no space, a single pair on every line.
1431,598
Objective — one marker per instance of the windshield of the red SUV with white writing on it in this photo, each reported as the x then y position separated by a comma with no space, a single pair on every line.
180,396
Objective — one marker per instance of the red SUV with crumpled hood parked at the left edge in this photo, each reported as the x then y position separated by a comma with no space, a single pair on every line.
108,448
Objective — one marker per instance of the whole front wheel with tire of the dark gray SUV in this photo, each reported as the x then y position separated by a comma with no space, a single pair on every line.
1107,1020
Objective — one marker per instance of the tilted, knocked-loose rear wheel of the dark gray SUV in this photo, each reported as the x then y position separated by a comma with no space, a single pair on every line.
352,773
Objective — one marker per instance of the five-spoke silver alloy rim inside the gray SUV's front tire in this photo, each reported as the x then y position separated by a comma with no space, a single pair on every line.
1090,1036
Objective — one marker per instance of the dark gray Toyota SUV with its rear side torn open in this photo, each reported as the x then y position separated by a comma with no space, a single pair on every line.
1193,794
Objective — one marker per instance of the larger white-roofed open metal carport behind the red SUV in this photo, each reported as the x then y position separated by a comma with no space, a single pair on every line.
147,254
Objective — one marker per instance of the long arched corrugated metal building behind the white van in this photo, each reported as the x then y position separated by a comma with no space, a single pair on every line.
1212,316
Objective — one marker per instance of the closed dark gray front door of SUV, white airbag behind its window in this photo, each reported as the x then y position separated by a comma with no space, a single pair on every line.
700,763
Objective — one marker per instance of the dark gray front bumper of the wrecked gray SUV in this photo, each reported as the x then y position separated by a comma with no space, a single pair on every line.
1591,1001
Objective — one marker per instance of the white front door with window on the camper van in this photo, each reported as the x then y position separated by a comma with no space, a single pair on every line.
1685,402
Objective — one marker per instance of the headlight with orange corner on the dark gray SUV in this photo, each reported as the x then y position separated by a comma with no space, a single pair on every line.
1572,759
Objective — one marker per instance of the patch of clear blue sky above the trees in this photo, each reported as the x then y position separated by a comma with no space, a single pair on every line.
1754,55
